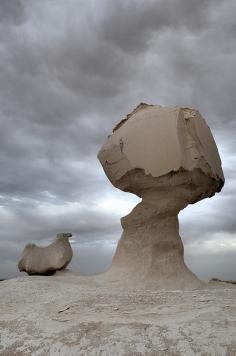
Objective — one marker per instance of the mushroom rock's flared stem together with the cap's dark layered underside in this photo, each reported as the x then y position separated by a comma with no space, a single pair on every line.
150,253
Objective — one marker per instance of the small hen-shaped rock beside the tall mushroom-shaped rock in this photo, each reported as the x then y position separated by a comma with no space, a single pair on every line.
47,260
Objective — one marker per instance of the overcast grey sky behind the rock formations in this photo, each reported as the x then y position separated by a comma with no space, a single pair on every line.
69,71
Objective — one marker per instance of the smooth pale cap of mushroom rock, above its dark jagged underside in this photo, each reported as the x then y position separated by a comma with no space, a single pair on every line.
159,141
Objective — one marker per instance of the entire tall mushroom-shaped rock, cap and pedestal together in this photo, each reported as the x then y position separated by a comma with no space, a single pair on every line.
168,157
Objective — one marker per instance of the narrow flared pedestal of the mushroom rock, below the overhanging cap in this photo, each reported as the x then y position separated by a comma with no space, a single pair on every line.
150,252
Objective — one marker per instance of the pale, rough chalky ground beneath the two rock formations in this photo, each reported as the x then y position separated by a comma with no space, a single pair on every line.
70,315
